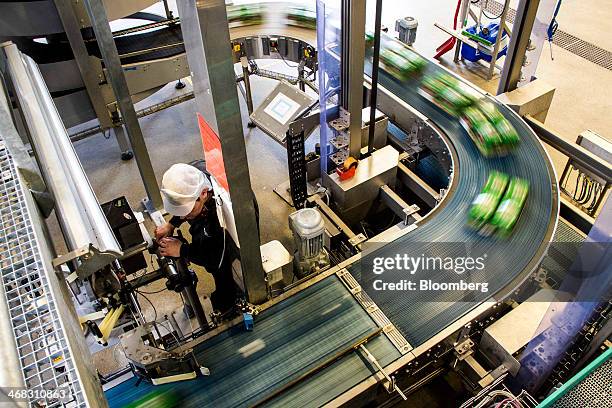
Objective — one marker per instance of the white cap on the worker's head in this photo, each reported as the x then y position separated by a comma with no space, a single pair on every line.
182,184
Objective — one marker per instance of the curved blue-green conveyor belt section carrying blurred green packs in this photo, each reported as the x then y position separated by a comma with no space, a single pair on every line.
421,315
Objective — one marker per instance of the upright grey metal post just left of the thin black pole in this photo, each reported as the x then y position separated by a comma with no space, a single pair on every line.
353,55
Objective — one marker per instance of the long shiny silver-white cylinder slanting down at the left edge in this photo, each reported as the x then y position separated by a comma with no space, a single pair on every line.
83,224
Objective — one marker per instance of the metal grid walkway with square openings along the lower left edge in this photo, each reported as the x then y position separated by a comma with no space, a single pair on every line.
41,342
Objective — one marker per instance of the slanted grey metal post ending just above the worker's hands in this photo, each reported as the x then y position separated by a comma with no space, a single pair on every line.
108,49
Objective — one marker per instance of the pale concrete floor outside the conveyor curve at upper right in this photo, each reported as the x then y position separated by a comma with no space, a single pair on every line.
581,98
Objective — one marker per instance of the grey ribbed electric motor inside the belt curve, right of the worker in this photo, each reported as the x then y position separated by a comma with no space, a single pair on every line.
308,228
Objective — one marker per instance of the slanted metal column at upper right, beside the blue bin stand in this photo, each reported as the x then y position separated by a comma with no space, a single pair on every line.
519,41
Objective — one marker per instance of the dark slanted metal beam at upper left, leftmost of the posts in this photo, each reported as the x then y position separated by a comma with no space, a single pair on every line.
81,56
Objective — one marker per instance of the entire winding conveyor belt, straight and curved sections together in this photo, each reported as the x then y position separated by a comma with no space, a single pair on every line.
295,334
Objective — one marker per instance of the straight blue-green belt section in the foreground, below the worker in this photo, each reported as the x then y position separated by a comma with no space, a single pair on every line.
288,339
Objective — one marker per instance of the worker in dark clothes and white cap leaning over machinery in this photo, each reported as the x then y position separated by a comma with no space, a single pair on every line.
187,195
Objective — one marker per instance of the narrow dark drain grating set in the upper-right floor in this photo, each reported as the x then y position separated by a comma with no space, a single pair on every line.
568,42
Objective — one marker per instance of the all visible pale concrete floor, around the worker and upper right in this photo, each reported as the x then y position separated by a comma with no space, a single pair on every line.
581,102
